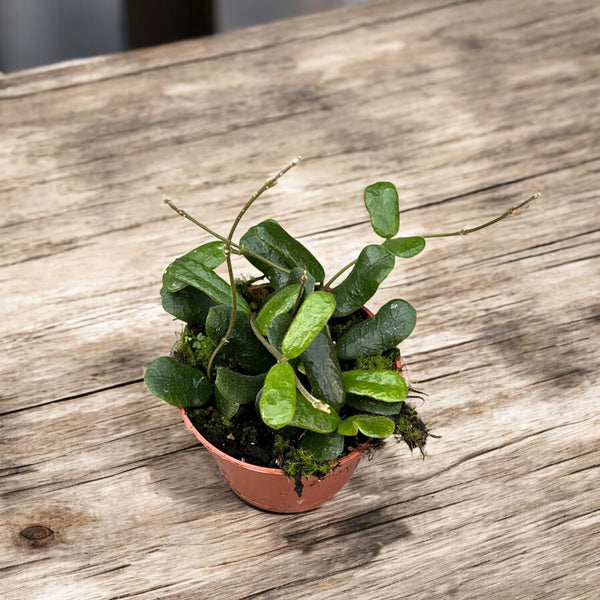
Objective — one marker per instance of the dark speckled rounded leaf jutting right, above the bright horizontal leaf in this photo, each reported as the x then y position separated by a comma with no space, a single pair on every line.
393,323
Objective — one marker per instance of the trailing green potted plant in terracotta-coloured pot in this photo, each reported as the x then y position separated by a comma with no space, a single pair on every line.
287,379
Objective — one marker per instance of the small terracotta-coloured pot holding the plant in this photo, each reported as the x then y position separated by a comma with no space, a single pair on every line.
270,489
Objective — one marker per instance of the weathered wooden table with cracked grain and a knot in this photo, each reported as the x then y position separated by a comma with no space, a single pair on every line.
468,107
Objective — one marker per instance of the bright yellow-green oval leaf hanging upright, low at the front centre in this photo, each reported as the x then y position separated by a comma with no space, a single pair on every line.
277,402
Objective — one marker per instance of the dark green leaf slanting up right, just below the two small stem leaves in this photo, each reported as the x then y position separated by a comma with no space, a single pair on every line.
374,264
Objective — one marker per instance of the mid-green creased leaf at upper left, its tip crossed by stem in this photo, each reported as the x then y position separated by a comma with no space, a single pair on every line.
204,279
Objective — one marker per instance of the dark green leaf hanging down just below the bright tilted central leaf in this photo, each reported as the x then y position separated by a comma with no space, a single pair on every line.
322,368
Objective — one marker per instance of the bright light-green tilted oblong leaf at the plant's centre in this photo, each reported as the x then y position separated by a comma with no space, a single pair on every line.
310,319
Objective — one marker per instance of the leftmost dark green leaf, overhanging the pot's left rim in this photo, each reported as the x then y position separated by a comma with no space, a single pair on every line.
177,384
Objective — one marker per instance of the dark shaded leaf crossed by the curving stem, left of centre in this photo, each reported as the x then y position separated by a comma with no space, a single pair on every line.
243,346
